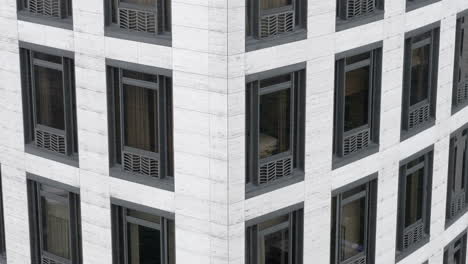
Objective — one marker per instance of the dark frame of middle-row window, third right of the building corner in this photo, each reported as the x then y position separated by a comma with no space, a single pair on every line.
427,106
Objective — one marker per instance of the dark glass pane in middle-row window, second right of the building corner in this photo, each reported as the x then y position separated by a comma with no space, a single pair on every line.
357,98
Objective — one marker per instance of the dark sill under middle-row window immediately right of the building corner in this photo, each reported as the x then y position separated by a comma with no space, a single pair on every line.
252,190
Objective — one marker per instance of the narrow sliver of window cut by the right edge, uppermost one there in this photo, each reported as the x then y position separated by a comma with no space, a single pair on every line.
460,78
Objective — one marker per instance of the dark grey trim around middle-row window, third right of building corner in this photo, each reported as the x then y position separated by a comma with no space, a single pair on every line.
434,39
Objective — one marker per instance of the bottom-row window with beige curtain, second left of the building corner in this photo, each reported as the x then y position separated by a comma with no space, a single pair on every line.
55,226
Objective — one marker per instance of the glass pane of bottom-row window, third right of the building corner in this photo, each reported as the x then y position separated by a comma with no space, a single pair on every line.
414,197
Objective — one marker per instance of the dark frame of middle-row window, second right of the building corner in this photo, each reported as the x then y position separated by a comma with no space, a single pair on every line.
340,157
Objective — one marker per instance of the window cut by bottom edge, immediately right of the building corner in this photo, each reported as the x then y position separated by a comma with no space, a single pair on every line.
276,240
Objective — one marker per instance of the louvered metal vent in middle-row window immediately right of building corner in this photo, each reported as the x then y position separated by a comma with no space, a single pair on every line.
274,170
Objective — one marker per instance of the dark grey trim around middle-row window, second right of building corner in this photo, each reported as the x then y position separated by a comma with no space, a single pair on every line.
375,49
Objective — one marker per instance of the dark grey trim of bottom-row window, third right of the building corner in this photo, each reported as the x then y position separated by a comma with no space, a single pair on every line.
426,218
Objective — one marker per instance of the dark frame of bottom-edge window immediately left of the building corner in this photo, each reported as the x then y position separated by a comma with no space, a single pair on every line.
120,219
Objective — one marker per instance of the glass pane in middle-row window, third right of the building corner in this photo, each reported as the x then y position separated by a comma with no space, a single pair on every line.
419,74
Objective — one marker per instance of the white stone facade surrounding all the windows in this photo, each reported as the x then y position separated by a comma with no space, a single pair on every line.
209,65
